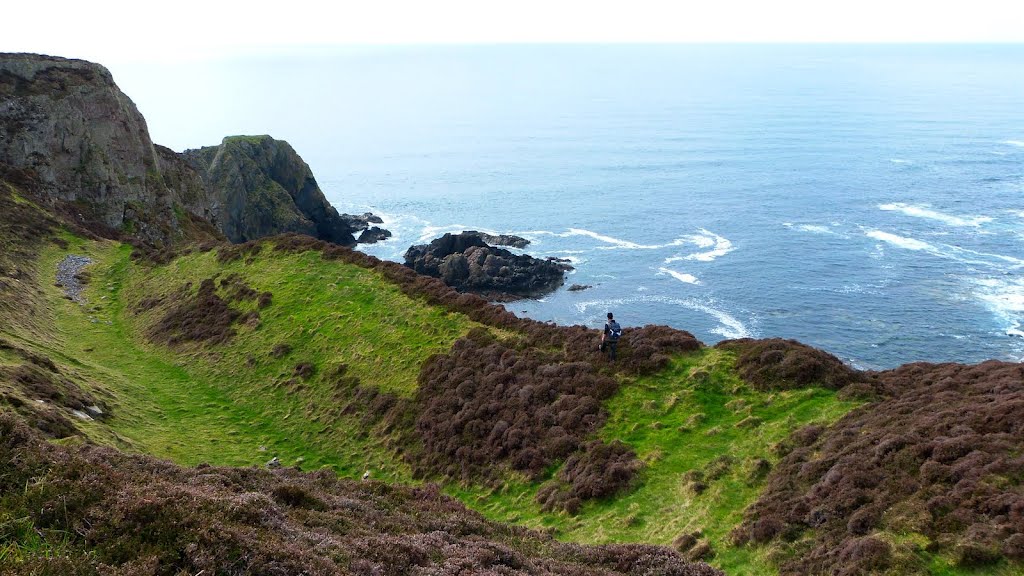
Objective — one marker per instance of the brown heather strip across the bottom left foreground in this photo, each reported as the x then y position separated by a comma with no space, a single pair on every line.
114,514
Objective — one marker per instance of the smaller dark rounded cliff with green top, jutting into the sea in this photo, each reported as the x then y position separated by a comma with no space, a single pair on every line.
262,187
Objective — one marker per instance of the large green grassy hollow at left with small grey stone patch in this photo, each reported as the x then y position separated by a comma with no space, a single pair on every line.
215,405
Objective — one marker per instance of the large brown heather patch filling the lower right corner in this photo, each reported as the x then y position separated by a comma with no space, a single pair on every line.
942,458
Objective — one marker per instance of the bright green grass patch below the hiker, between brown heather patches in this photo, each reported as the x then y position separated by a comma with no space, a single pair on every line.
682,421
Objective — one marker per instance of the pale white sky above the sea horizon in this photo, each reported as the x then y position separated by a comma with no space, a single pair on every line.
130,31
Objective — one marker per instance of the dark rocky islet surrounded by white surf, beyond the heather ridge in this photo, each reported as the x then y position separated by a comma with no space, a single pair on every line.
467,264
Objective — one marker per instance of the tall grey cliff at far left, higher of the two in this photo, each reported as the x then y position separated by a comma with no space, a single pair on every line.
87,142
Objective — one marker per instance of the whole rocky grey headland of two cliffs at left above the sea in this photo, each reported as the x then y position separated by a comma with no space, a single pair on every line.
67,122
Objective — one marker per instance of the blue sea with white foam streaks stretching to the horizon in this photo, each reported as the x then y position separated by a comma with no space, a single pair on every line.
868,200
